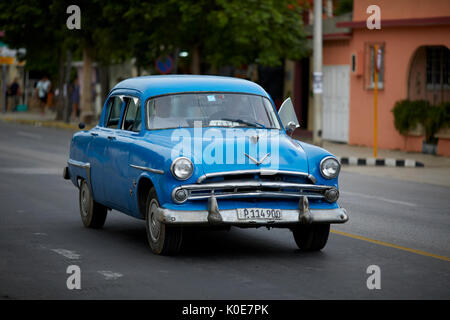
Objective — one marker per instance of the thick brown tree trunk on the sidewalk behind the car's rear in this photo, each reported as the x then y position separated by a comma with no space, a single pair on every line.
87,110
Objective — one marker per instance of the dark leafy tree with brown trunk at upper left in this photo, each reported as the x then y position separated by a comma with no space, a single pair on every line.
40,28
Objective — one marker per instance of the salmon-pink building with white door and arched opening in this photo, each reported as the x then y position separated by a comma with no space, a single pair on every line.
415,41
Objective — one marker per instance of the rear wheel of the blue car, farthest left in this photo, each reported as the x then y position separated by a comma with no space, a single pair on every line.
93,214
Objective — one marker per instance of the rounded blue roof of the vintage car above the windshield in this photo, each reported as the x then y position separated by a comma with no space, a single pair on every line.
150,86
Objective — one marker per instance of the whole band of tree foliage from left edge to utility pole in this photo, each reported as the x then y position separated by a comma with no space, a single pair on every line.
226,32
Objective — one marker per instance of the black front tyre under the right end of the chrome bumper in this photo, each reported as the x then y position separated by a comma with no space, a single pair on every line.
312,237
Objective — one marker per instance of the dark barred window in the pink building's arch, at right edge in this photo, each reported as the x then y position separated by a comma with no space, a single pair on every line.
438,63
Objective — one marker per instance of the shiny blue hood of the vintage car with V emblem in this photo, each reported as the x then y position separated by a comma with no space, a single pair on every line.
226,149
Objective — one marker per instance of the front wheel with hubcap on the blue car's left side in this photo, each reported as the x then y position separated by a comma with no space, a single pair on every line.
163,239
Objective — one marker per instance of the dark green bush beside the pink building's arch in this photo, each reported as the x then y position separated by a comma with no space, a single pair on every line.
408,114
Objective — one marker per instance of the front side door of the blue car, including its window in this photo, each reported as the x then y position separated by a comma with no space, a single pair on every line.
120,190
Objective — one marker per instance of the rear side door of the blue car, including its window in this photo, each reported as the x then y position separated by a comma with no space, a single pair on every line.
101,136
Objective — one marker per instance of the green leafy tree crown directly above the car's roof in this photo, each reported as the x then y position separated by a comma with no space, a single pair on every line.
223,32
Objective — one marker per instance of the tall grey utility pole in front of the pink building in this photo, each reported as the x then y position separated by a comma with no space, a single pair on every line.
317,73
